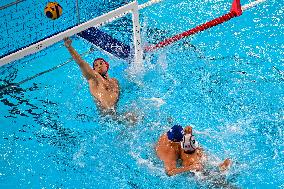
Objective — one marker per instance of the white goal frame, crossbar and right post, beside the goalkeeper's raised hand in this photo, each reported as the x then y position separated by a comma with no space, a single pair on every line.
96,22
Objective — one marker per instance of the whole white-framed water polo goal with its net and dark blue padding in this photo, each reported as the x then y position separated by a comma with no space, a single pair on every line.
27,31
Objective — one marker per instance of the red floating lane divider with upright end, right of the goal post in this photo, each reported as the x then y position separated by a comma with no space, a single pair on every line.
236,10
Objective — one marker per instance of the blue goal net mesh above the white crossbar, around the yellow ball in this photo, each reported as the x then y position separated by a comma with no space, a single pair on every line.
24,23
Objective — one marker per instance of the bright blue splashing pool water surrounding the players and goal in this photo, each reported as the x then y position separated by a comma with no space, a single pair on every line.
227,82
